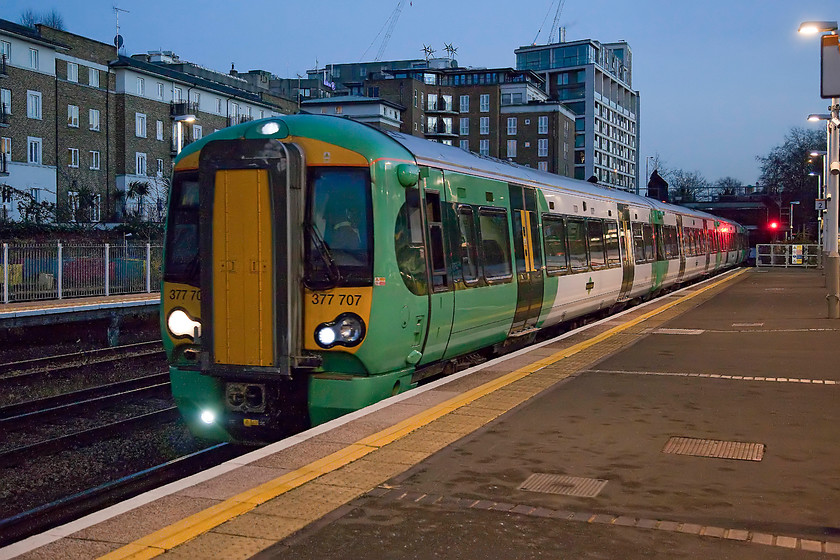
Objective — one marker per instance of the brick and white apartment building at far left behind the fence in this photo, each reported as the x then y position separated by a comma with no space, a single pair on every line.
89,135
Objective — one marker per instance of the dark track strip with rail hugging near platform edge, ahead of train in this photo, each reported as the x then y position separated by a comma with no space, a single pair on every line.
66,509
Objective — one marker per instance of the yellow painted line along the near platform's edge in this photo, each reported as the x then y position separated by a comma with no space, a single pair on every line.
160,541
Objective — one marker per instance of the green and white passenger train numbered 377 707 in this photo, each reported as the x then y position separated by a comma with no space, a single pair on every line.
314,265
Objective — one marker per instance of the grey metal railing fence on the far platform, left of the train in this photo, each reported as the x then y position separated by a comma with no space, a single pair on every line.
56,271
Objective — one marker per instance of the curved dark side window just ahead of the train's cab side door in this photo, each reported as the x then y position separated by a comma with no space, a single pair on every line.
408,244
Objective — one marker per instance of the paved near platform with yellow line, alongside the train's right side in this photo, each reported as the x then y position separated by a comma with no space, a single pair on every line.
699,425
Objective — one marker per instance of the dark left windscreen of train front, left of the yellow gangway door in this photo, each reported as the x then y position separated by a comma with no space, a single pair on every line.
182,259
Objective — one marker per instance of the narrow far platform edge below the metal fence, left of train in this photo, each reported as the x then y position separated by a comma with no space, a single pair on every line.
34,313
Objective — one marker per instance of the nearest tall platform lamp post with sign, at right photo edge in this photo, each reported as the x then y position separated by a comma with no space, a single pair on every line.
830,89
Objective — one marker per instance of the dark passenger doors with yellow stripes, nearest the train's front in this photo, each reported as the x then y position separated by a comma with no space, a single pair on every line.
528,258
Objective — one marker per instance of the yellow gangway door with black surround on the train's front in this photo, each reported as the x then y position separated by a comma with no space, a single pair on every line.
251,196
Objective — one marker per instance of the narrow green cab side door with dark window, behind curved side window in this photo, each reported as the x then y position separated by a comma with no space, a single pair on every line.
441,296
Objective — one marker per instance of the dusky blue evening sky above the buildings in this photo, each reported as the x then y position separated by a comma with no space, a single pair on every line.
720,81
